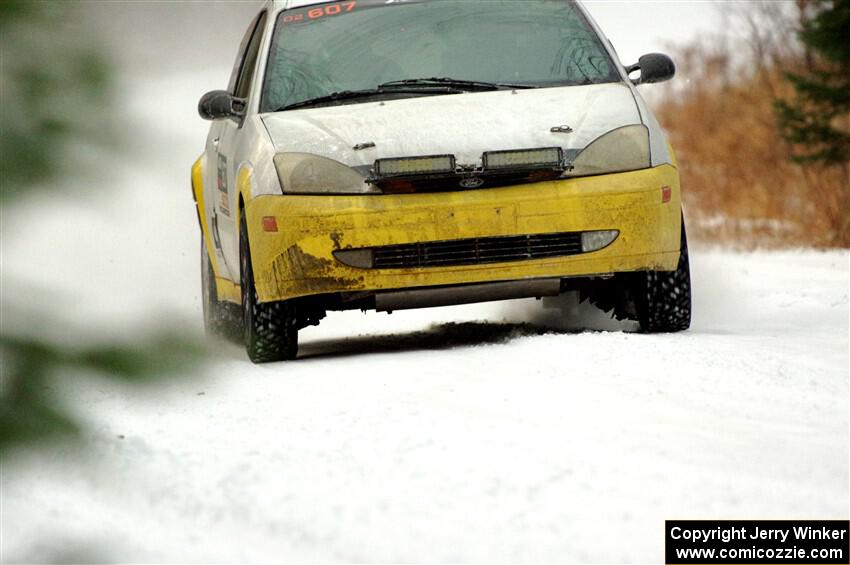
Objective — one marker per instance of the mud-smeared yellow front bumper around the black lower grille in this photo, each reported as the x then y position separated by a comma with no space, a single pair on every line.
298,259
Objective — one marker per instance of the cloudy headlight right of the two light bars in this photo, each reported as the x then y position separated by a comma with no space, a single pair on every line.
622,149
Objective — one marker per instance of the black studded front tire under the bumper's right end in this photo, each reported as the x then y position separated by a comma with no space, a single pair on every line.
663,298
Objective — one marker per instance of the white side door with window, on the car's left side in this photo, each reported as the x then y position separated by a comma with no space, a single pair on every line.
225,140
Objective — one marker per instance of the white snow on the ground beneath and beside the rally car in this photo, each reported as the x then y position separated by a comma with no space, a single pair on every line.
502,432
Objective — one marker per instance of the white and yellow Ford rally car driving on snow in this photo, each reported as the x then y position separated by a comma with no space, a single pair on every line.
383,155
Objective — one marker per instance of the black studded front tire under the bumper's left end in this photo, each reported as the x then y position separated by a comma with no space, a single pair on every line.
270,329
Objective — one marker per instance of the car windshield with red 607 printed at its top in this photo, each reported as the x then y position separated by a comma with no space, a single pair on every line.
358,45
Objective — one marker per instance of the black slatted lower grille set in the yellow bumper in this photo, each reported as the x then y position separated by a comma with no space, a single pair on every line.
476,251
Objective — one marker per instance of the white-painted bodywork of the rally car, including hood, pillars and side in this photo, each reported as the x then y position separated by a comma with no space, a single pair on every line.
466,127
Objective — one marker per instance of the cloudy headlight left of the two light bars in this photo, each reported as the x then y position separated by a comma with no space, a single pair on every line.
305,173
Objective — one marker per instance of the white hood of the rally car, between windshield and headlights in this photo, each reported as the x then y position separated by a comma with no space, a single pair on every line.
464,125
